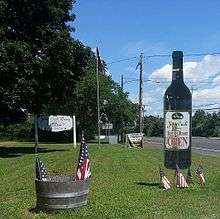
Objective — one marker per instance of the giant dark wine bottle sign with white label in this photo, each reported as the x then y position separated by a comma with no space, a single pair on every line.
177,118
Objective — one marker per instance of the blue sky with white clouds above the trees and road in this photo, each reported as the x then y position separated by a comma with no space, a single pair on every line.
124,29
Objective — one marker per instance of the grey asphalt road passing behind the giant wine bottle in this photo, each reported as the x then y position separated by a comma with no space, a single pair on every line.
209,146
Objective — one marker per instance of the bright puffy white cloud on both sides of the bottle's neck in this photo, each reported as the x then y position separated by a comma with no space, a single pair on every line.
207,68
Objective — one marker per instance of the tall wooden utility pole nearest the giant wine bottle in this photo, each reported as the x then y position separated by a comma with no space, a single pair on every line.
141,95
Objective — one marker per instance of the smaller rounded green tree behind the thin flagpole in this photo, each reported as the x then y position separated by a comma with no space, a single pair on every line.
114,104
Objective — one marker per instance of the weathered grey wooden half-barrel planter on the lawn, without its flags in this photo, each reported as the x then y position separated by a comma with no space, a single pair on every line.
61,192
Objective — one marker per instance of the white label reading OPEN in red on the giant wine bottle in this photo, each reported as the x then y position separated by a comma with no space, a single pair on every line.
177,130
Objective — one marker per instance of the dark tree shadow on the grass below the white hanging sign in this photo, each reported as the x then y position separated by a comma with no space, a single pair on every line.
11,152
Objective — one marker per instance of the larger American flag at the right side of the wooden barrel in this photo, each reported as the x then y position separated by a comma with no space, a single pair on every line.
83,169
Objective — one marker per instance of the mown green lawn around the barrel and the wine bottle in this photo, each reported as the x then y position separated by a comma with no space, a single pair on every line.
125,183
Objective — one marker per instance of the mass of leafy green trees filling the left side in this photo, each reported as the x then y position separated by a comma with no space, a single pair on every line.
44,70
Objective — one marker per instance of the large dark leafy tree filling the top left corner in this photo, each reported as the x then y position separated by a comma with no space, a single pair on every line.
39,61
